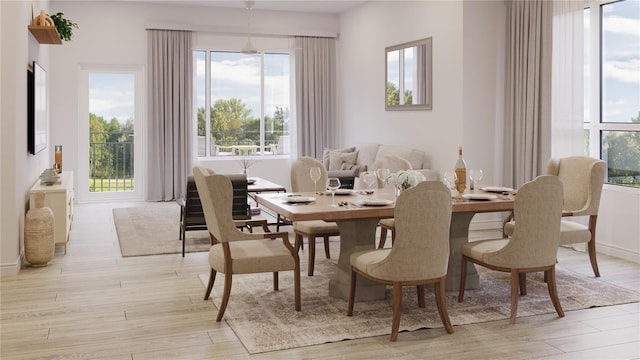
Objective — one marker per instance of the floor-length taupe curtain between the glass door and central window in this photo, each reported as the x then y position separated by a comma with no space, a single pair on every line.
170,110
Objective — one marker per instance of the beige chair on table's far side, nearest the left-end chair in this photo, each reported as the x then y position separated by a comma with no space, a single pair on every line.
301,182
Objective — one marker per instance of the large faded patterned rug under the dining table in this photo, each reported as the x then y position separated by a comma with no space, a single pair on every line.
265,320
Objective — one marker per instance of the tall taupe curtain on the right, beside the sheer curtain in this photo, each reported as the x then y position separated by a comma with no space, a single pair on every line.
527,90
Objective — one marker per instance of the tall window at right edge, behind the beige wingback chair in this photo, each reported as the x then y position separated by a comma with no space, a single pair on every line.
612,116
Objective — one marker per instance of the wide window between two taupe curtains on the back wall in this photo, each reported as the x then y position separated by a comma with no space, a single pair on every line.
246,99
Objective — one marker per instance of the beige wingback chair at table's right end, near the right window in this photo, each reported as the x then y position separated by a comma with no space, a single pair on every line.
582,178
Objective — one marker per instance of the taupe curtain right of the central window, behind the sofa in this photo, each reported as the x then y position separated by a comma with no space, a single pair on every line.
315,84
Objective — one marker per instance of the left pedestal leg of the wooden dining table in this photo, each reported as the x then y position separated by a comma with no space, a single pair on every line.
355,235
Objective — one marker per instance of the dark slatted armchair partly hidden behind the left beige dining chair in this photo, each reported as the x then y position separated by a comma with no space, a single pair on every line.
192,215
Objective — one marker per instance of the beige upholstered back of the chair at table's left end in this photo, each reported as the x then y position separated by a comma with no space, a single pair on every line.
216,196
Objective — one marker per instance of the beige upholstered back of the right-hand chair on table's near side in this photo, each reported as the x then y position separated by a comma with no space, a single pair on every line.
536,235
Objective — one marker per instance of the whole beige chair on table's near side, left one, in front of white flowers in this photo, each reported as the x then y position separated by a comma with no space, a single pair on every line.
420,255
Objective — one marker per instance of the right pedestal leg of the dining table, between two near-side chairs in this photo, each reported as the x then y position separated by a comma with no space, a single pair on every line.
458,236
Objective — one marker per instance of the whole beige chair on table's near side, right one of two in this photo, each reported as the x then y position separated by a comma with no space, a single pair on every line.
533,246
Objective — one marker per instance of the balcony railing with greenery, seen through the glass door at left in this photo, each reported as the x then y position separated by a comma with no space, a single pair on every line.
111,162
